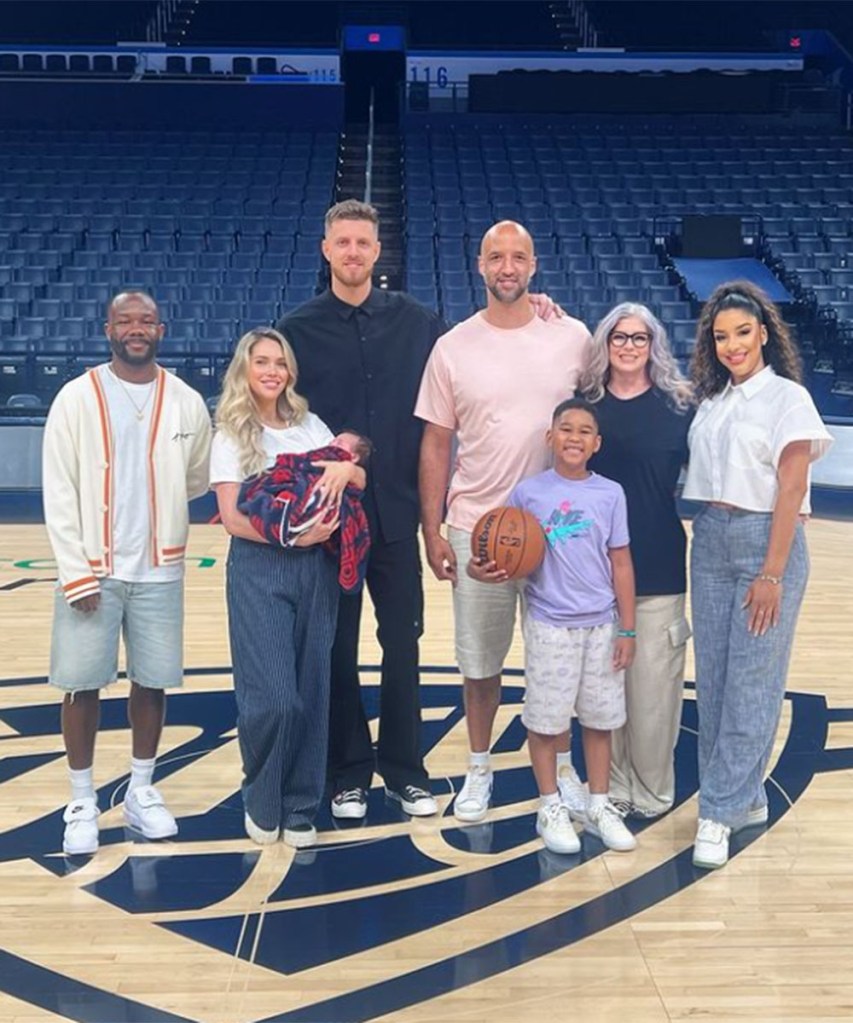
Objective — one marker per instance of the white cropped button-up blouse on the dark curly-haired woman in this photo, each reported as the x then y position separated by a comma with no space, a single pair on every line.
738,437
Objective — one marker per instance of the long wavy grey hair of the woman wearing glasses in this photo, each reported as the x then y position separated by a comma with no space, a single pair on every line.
663,370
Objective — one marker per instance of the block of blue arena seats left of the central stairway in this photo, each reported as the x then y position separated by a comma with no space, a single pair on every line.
222,229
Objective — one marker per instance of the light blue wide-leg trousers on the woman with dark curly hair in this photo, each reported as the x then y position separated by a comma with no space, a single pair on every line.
740,678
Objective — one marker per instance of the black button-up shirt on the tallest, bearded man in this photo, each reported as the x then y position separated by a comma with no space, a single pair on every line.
361,367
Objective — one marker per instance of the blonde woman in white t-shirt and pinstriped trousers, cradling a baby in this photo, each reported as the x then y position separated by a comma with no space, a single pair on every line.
283,602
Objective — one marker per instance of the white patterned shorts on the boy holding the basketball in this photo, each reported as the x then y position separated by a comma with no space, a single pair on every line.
570,672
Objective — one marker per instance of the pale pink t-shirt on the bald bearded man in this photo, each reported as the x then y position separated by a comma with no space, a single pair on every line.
498,390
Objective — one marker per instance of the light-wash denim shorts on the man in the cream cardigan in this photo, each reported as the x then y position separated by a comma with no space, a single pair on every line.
149,616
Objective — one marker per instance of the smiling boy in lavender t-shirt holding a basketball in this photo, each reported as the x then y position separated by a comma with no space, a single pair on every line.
578,625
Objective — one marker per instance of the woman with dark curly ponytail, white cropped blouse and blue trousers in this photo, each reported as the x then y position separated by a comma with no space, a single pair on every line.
752,443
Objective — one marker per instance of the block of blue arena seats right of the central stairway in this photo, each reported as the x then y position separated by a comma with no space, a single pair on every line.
593,194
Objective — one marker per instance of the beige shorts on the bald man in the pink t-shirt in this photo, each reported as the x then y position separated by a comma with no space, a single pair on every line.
484,614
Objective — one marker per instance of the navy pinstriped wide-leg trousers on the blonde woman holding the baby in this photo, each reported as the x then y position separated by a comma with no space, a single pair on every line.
283,608
